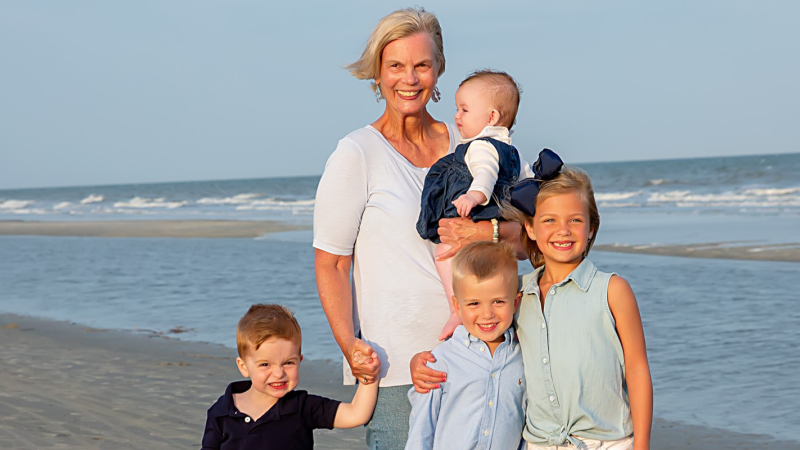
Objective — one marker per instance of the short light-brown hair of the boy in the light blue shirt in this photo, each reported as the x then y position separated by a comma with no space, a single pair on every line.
483,260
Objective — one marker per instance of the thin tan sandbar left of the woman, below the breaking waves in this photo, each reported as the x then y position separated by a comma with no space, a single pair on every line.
148,228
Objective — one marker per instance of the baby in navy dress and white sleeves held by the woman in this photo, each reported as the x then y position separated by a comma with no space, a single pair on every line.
476,178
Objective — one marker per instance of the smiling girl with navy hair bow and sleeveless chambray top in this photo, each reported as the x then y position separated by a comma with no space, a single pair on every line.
588,380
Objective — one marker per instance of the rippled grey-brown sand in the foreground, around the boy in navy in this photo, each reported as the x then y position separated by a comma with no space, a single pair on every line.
68,386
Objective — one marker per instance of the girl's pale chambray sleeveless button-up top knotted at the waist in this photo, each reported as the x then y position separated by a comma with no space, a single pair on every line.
574,366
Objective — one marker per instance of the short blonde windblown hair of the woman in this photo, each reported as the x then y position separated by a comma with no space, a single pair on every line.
397,25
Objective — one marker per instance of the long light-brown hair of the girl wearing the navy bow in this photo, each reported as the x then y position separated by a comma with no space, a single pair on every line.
570,179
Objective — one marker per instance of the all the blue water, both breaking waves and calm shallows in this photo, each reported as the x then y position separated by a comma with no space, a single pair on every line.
722,335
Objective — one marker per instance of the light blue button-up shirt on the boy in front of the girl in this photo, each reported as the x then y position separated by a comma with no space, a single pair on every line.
482,404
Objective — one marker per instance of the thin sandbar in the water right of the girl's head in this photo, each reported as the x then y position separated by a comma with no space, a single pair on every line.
789,252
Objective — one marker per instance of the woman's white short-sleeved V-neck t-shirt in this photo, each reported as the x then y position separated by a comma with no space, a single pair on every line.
367,205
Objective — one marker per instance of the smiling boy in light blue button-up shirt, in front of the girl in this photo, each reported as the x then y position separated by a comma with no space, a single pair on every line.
482,403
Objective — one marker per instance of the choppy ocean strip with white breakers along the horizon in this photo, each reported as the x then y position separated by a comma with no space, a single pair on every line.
768,184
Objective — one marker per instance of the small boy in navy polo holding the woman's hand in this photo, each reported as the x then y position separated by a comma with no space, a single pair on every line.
266,412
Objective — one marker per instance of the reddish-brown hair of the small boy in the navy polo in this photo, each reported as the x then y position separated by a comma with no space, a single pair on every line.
263,322
